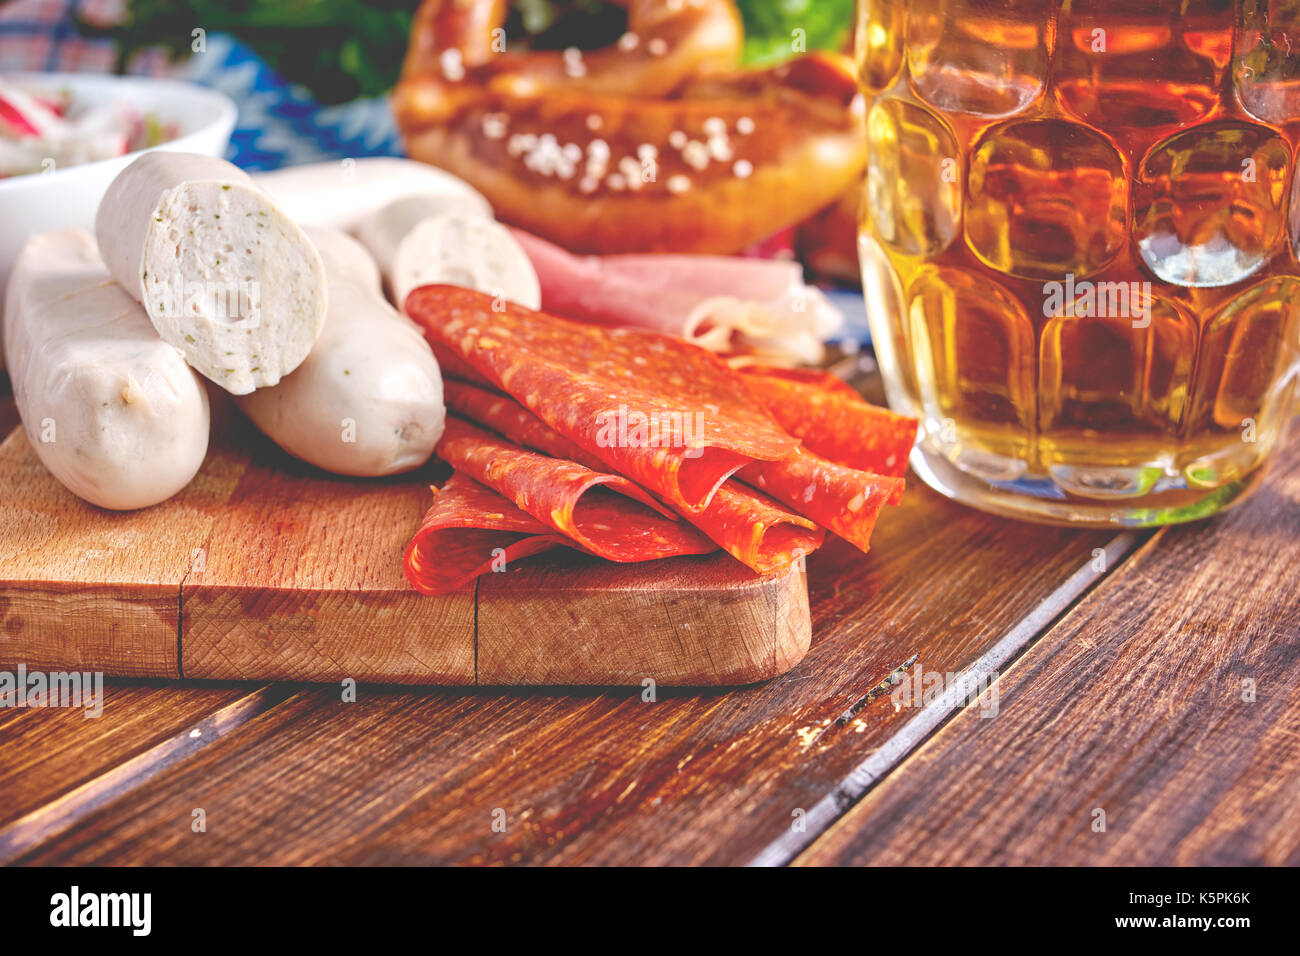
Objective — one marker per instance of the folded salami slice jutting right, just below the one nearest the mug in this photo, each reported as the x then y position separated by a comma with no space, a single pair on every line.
843,500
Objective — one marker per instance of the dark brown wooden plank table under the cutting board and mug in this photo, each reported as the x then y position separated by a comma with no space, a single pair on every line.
1147,711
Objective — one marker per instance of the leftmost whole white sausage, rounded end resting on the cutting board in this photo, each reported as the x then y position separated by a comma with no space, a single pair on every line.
112,410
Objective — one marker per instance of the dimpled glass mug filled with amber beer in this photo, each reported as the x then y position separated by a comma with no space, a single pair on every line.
1080,248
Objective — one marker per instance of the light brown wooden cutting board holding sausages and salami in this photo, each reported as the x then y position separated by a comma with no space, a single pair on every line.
268,569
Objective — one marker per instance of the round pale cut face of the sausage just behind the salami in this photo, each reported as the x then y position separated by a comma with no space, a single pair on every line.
466,250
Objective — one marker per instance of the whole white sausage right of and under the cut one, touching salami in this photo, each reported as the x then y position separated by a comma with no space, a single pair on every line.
369,400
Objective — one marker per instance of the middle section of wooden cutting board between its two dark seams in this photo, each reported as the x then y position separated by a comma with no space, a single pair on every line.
302,581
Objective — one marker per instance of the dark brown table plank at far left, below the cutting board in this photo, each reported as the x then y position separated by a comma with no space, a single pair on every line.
47,752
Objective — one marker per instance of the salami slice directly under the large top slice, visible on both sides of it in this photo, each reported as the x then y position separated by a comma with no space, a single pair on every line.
748,526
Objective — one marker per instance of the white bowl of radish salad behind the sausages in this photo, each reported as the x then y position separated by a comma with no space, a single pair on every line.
70,197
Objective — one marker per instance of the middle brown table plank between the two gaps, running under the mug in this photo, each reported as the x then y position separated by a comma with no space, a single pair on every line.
694,777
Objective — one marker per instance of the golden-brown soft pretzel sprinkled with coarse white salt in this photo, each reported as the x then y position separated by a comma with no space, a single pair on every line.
657,144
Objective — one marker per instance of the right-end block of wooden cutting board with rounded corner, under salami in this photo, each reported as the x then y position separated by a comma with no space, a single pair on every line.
571,620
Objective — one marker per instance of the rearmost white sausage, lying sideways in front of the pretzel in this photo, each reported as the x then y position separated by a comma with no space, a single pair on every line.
341,193
